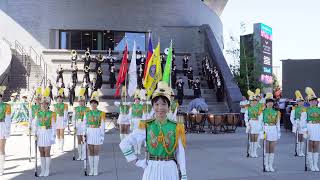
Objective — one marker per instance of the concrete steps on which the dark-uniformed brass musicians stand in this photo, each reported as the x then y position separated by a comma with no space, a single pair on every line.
63,57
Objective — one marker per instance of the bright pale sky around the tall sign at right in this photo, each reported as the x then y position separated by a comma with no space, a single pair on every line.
295,26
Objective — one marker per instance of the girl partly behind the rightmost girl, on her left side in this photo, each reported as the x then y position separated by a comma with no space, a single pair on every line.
297,127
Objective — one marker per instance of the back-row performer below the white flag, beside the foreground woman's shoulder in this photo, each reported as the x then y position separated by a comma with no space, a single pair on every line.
135,114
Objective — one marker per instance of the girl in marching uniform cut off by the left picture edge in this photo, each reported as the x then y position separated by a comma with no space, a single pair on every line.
5,123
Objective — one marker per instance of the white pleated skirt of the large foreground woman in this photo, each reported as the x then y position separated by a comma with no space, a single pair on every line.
161,170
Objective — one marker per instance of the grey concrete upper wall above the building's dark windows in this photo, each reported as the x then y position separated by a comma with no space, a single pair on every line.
165,18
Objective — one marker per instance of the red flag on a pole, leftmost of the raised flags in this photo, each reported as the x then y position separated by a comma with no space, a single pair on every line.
123,71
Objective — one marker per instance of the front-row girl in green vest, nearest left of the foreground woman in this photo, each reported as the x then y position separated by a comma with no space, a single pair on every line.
95,124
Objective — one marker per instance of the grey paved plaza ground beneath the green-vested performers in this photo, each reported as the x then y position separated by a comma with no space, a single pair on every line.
209,157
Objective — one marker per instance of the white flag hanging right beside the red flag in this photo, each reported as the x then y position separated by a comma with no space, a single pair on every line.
133,72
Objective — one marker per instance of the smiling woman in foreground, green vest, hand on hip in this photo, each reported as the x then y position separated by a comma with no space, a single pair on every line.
165,141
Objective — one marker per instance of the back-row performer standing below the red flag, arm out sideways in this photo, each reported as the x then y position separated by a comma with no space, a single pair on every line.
123,119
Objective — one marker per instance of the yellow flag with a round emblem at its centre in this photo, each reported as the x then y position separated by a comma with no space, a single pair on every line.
154,72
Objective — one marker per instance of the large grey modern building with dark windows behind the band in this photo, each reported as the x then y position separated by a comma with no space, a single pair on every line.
47,30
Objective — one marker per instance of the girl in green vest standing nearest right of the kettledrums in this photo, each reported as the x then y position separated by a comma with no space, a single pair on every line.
253,123
